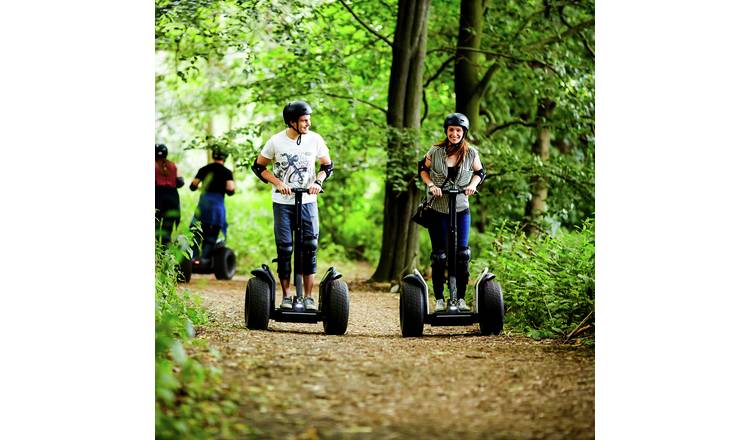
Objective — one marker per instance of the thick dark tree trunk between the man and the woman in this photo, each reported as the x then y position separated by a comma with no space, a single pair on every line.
399,247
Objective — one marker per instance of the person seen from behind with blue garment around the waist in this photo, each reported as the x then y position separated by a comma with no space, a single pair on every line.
215,180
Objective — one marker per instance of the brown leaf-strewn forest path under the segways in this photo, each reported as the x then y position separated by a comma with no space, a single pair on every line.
294,382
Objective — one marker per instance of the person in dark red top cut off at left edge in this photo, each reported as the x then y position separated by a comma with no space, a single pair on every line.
168,179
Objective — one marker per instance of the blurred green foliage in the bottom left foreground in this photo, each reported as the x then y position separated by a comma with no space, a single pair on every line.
189,402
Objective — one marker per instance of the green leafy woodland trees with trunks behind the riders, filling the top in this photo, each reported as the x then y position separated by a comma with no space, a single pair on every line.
381,75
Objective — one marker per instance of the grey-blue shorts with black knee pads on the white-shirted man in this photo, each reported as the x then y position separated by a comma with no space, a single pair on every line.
283,225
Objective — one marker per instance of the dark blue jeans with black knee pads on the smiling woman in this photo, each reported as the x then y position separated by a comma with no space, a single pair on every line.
439,239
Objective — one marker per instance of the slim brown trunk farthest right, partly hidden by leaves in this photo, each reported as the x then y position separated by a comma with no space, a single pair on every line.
536,207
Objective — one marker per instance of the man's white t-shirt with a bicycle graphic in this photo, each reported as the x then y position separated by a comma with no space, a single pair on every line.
294,164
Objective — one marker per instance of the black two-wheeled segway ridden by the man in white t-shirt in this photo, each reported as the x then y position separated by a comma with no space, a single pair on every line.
333,294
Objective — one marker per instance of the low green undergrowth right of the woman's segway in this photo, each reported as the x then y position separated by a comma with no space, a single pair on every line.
548,283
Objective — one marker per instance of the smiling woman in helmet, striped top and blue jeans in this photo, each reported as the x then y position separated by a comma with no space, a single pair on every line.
451,162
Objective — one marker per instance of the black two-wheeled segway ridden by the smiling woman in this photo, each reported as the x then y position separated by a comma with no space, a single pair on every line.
414,307
